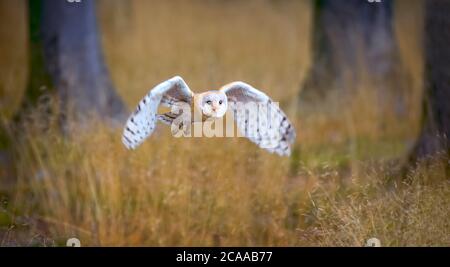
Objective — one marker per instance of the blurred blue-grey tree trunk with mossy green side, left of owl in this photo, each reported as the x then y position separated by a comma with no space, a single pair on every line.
65,54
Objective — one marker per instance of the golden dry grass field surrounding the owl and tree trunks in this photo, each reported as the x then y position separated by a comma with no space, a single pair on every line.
340,190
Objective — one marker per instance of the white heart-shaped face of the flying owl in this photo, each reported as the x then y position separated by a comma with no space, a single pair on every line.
214,104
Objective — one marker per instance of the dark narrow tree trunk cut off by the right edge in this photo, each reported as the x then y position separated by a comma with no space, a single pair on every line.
435,134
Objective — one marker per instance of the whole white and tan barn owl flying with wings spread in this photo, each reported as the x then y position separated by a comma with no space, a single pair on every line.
269,127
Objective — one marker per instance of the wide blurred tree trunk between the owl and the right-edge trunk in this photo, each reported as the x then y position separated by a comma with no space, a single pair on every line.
350,37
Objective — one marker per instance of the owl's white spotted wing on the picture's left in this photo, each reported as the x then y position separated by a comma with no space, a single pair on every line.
142,122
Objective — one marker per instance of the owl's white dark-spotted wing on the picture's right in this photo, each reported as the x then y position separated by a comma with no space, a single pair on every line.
260,119
